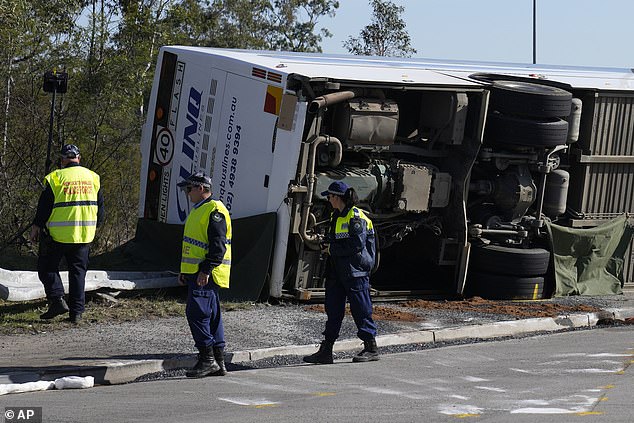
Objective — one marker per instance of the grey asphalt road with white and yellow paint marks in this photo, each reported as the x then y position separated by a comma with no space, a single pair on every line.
580,376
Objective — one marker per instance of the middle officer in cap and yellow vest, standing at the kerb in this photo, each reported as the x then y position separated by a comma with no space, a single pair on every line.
205,267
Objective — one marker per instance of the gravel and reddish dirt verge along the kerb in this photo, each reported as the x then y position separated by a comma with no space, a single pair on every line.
260,326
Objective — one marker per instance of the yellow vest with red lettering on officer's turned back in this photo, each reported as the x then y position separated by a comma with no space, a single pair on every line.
74,216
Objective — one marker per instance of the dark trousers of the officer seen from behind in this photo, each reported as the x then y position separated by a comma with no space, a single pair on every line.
76,256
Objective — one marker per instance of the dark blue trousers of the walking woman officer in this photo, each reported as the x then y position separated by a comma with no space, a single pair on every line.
357,291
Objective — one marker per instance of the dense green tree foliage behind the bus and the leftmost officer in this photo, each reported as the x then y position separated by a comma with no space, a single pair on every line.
109,50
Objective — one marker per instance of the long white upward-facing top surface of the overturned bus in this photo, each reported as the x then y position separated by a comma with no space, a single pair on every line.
417,71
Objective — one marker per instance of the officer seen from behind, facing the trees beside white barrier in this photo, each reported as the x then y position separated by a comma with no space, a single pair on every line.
69,210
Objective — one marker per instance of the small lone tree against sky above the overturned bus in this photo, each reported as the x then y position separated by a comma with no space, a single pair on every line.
386,34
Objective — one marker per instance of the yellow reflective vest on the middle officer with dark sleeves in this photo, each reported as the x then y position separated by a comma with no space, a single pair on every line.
196,242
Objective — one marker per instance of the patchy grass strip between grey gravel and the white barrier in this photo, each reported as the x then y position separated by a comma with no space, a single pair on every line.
24,316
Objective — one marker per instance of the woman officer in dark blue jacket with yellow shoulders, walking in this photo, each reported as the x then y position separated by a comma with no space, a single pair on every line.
351,247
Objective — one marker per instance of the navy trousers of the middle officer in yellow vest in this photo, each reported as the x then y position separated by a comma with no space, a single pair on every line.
203,313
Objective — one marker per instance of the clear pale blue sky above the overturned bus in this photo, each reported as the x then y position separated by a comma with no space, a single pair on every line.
569,32
